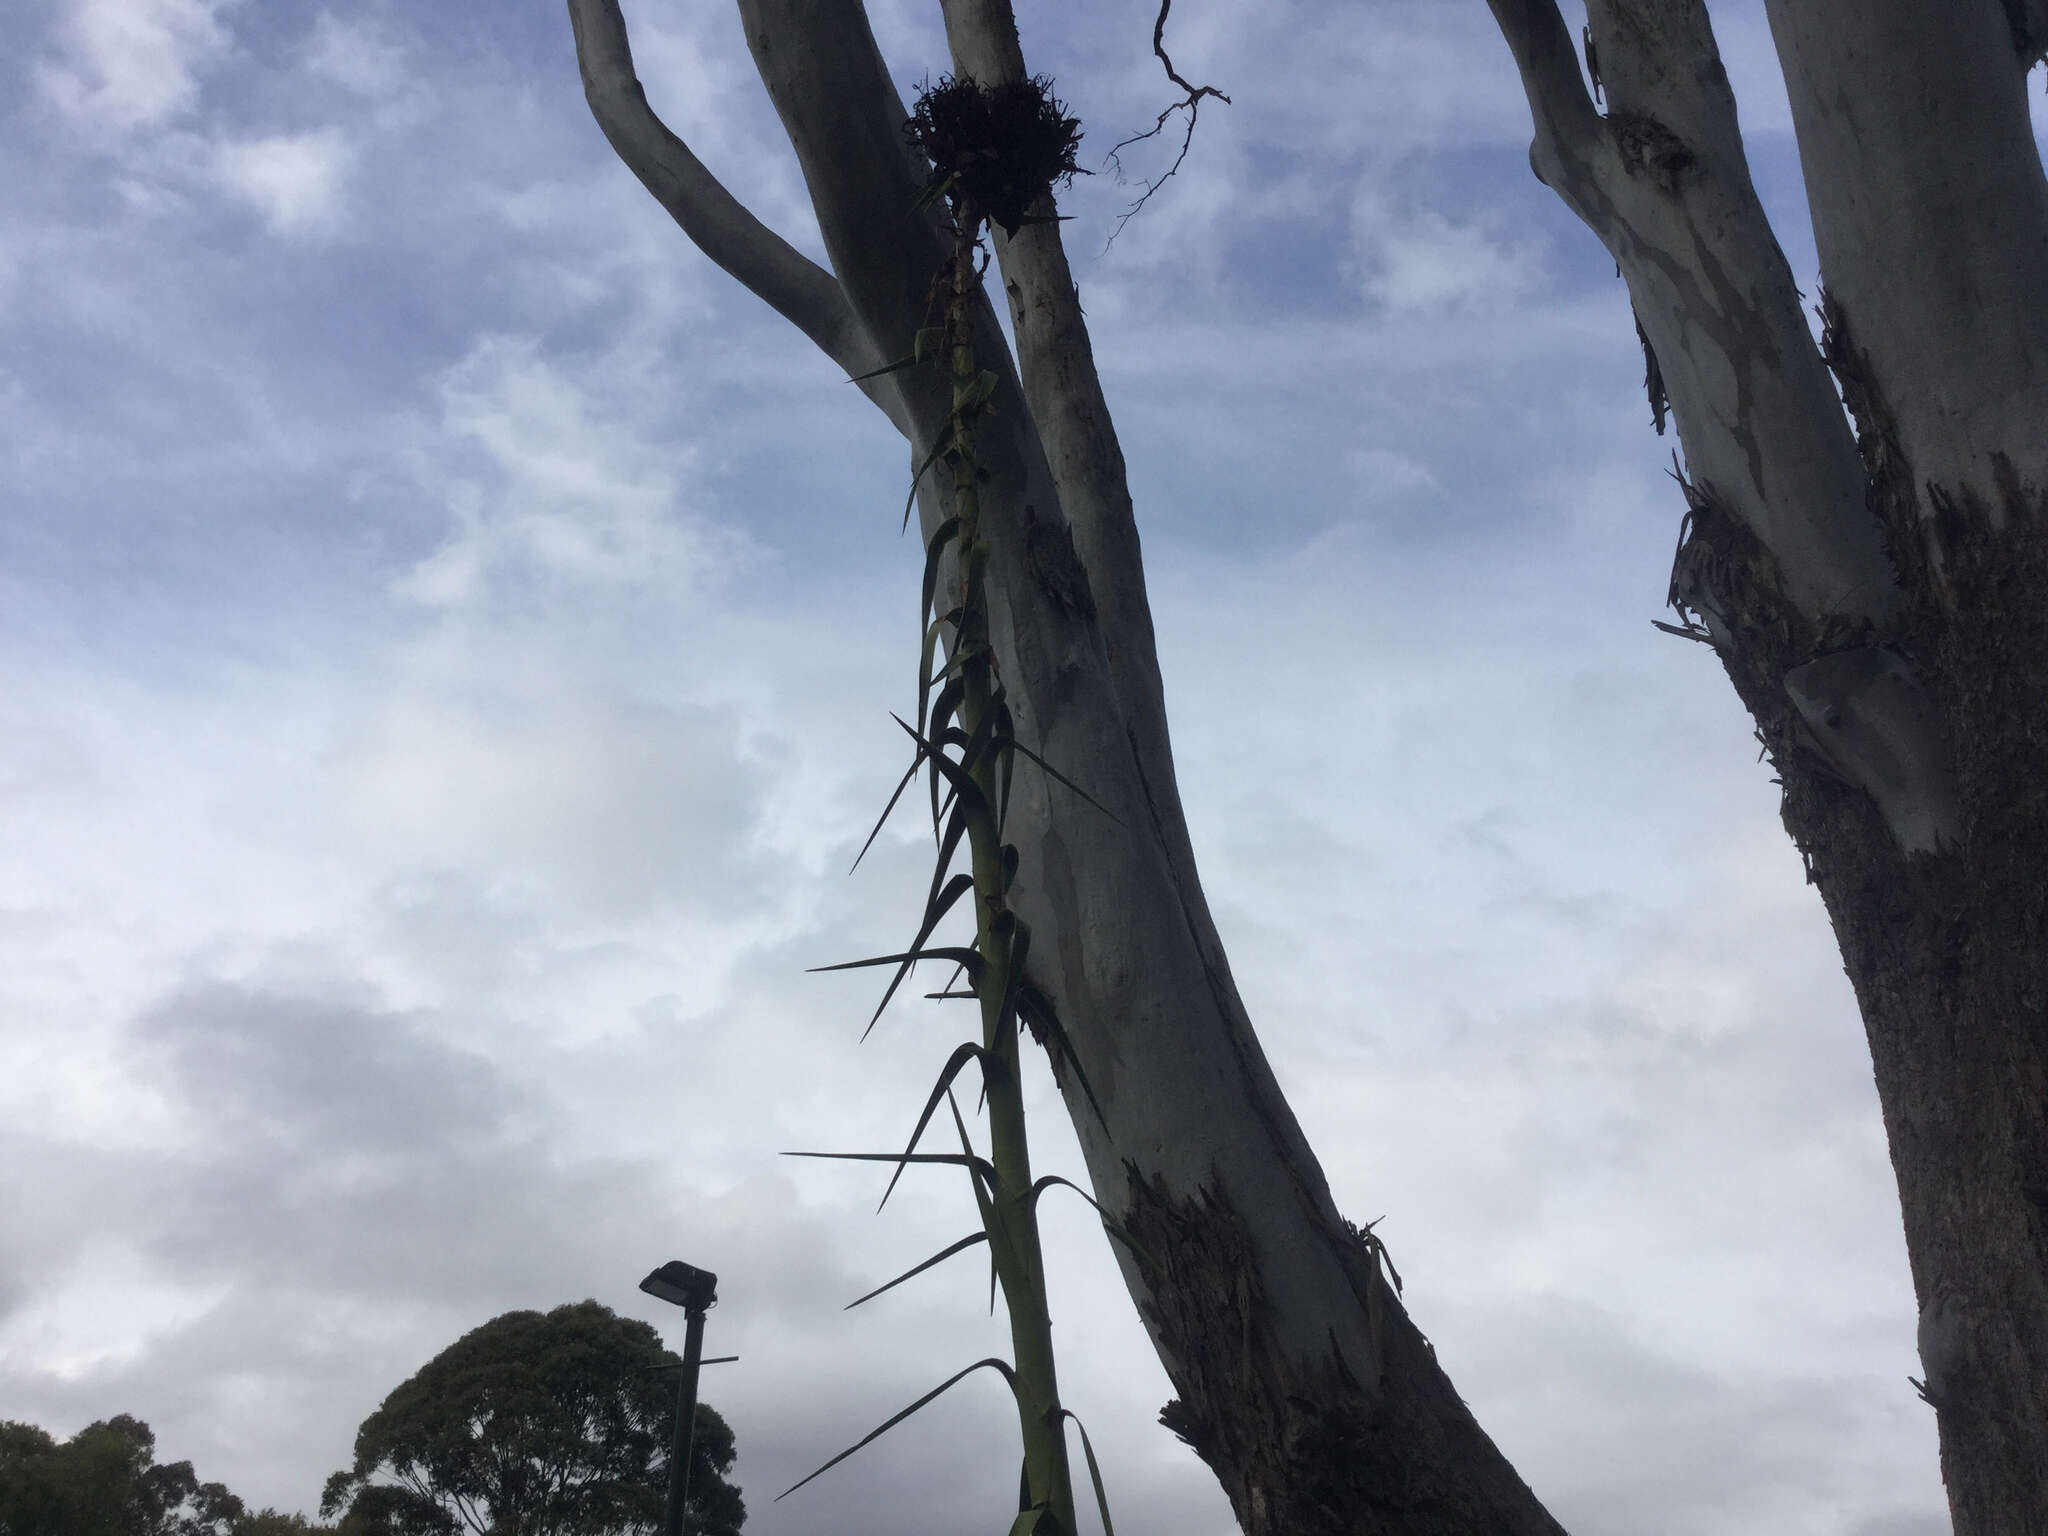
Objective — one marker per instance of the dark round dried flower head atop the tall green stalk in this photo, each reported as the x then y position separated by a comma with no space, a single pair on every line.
994,151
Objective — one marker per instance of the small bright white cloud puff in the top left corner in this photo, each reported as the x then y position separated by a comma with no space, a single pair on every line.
132,65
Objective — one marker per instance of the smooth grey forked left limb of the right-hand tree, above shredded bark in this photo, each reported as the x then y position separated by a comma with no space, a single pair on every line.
1664,183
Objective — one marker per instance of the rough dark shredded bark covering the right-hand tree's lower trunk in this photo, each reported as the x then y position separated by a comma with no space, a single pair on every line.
1945,949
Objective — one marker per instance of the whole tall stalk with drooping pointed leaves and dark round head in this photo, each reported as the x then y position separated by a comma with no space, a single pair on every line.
996,155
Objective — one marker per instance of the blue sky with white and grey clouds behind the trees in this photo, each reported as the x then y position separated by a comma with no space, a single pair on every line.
447,644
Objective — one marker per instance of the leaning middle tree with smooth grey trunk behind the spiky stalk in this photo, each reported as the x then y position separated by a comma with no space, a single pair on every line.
1302,1379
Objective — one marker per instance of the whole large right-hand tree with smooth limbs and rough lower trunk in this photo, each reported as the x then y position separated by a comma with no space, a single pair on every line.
1906,697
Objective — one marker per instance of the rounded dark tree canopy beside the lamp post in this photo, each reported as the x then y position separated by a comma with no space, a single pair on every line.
536,1424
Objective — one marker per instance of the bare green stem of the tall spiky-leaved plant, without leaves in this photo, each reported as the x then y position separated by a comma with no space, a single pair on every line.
1015,1224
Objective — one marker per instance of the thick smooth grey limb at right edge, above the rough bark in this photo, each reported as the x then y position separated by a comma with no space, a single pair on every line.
1932,220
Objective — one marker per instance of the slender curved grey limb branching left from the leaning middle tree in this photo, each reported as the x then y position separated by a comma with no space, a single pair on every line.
716,222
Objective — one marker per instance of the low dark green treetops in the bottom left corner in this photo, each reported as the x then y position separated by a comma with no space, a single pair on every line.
105,1482
